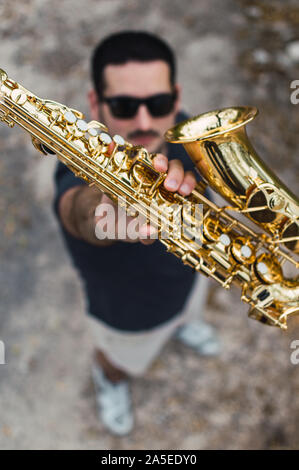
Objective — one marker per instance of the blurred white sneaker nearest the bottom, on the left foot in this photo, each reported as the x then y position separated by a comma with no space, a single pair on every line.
114,403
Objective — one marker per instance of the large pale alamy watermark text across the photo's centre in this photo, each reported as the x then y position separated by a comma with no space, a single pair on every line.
171,221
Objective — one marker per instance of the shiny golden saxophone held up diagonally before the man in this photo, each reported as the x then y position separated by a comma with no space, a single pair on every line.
221,246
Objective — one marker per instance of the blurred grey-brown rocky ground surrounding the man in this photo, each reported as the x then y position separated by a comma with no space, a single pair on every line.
229,52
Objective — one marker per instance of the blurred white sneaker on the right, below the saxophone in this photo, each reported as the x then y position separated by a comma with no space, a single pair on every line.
201,337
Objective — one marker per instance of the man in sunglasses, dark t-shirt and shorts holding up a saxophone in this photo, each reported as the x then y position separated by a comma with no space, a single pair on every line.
136,292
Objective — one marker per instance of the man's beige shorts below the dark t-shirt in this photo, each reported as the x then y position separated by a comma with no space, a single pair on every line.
134,352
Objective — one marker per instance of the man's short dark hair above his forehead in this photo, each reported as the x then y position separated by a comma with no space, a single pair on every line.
122,47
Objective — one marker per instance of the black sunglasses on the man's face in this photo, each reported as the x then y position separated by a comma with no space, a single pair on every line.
126,107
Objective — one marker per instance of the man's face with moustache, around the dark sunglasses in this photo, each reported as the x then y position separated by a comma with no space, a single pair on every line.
139,80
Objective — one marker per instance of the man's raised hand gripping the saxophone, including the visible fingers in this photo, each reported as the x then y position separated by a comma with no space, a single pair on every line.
82,208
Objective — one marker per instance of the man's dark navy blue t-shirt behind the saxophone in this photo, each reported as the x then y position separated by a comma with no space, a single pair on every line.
129,286
